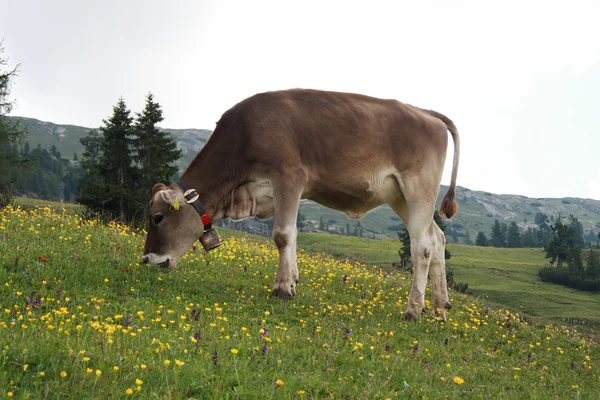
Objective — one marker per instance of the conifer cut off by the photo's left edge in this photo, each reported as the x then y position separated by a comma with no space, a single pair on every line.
10,133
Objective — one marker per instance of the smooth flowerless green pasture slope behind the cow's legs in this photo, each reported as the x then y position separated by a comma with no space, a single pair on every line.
505,277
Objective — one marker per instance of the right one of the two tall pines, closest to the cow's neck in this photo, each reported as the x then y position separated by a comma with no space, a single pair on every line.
155,151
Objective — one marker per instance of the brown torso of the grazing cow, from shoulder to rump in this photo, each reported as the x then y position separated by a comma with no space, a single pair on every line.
352,148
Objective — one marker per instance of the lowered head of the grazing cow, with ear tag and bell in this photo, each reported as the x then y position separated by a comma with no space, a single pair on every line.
173,226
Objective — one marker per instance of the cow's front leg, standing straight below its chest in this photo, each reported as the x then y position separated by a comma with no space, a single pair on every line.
286,198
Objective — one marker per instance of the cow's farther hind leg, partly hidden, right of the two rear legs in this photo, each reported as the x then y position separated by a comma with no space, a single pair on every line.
437,274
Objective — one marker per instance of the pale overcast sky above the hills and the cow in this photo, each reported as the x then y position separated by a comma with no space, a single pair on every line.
520,79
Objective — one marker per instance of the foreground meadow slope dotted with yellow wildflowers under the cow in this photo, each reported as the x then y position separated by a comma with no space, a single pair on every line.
81,318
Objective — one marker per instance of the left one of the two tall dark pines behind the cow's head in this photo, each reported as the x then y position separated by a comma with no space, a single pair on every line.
115,164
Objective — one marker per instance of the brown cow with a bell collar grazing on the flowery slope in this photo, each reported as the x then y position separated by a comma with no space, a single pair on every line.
346,151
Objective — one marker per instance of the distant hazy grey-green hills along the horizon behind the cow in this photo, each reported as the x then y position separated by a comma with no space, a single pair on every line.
478,209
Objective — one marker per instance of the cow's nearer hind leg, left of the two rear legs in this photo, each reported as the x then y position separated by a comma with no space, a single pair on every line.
418,218
